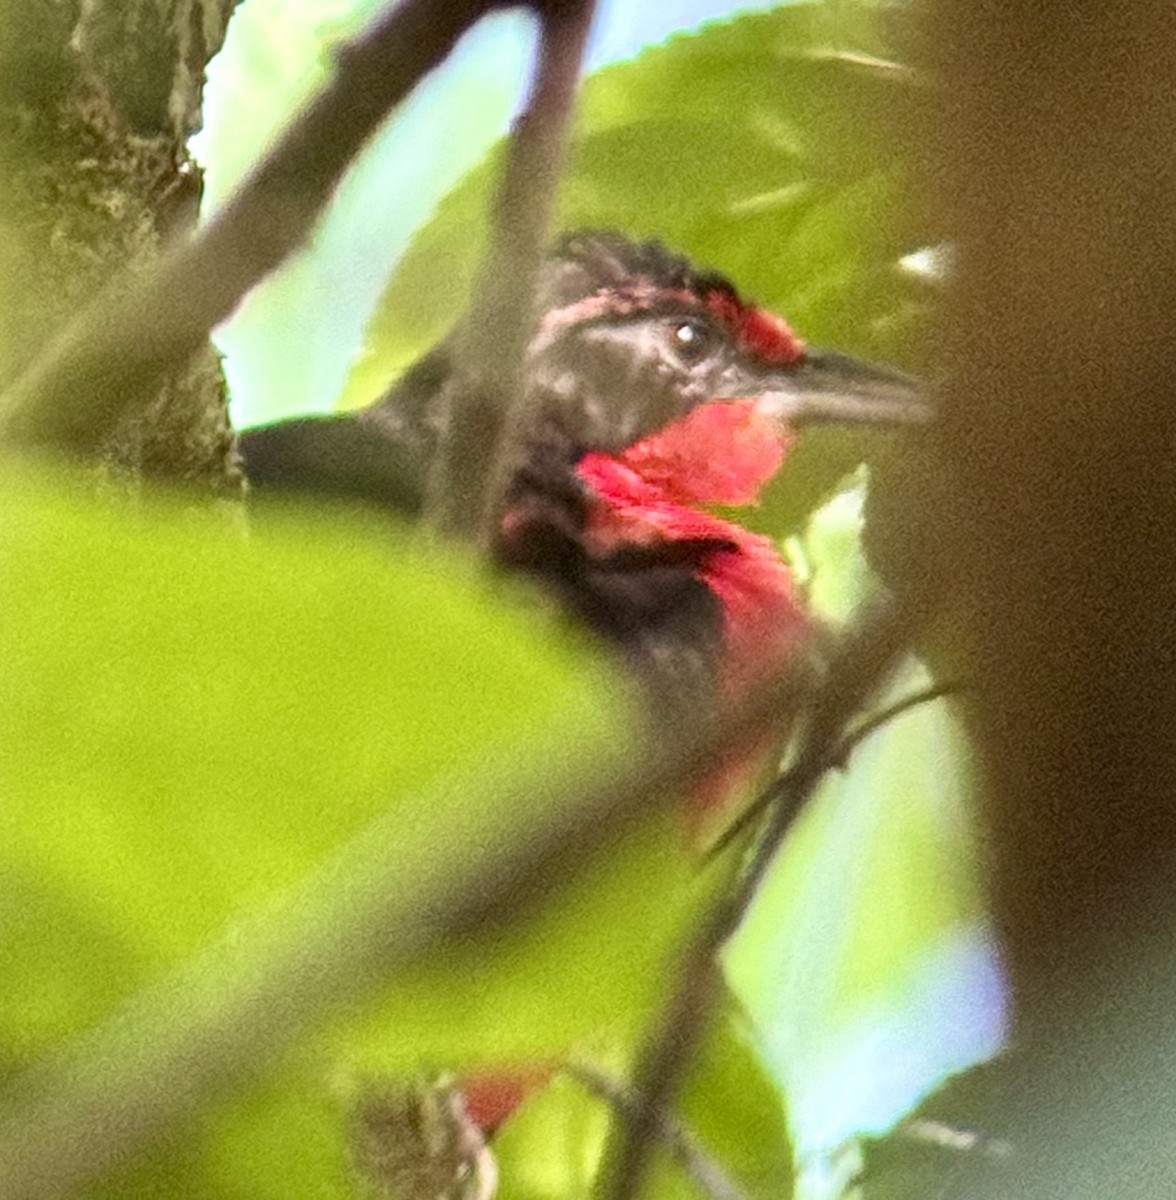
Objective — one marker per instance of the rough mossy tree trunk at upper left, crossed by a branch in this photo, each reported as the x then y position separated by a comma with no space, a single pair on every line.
98,99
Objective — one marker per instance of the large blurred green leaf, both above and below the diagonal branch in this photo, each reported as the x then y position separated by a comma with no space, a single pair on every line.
195,722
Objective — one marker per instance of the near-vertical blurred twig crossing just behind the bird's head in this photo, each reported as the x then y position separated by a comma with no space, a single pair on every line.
485,397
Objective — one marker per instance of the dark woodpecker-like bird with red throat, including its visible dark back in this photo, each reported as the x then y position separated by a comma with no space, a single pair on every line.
655,393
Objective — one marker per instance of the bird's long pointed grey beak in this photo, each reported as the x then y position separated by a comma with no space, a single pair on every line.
826,387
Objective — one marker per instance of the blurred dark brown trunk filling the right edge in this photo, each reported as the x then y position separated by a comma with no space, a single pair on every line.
1057,170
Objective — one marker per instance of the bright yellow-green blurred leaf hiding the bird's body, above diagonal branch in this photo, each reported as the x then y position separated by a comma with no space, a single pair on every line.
197,716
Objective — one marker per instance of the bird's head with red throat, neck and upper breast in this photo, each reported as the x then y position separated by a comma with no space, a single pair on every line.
655,393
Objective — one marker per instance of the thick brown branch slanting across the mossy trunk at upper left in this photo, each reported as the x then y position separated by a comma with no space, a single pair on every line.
116,353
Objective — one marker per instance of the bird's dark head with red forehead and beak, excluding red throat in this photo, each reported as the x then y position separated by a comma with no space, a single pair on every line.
633,337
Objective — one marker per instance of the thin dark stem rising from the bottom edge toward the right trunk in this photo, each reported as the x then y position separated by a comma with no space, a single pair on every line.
869,653
